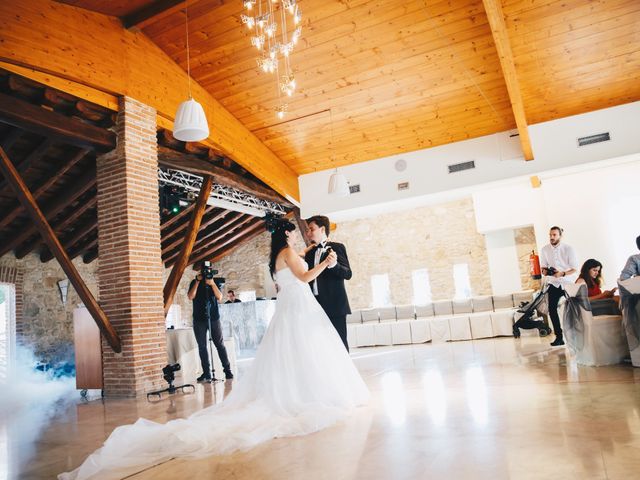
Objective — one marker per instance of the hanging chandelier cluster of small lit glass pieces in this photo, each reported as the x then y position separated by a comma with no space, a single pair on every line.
275,31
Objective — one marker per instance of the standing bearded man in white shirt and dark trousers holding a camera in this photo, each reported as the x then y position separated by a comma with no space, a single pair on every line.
560,265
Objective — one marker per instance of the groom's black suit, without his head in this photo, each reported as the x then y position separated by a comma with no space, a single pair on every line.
332,295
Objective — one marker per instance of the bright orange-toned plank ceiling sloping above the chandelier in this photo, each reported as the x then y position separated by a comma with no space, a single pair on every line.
397,76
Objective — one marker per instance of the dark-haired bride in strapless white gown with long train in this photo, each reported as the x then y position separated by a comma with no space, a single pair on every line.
301,381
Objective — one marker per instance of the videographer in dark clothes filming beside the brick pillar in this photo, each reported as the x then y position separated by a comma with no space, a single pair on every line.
205,295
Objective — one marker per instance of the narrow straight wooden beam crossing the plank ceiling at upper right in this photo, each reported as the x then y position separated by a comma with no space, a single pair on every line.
493,8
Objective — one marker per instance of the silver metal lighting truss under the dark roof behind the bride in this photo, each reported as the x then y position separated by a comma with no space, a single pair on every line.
231,198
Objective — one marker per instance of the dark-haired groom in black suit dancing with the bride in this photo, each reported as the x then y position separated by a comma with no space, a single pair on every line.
328,288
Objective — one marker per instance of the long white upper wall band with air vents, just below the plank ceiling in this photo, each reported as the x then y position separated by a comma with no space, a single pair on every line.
496,158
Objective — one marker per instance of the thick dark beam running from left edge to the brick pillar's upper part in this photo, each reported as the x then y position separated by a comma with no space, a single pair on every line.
33,118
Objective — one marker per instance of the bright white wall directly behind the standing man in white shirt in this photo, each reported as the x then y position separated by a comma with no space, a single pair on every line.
598,210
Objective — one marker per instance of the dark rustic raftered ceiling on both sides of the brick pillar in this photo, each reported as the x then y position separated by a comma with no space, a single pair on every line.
52,138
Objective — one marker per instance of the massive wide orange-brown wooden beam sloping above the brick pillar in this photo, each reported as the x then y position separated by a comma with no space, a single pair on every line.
95,50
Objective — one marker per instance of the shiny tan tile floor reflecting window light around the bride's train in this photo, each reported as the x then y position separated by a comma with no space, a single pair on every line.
495,408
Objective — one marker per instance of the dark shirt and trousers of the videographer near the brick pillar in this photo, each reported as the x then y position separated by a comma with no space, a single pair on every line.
201,325
